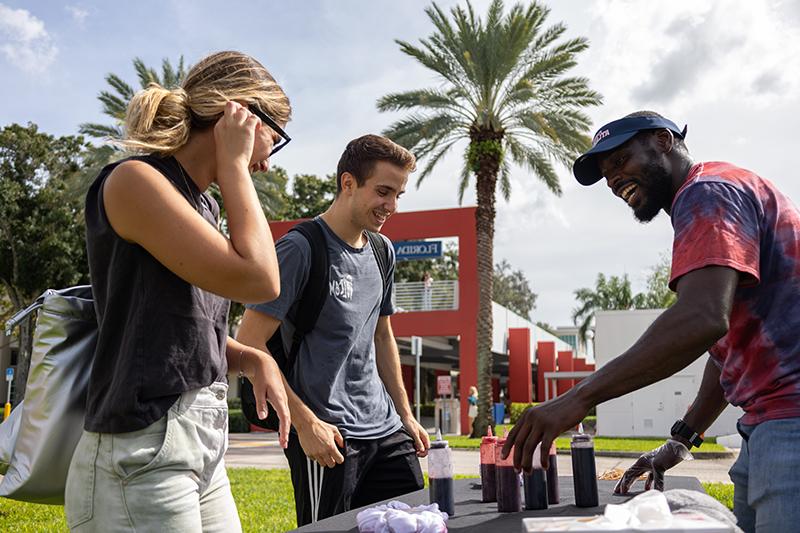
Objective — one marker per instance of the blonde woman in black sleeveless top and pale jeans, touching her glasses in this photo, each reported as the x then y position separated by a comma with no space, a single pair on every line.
151,455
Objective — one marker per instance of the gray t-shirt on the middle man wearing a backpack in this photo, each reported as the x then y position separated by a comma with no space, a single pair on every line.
336,374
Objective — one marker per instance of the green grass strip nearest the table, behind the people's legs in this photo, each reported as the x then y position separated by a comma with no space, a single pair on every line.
264,499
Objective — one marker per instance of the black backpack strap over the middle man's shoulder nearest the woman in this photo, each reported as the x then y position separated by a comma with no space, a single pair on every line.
315,292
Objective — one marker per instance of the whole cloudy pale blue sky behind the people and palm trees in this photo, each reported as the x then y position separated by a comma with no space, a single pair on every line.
728,69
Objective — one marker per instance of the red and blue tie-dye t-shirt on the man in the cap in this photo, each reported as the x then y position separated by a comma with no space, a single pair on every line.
725,215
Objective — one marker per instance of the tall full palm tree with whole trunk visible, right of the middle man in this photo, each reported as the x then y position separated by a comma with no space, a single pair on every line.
504,91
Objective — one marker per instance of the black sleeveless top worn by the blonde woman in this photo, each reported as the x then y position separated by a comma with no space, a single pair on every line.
159,336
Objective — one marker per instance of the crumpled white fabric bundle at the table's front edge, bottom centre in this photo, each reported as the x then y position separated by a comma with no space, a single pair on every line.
398,517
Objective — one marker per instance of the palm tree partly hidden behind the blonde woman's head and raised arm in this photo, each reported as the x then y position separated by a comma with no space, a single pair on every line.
270,186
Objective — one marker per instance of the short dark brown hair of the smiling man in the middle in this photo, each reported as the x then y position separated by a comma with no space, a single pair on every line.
361,154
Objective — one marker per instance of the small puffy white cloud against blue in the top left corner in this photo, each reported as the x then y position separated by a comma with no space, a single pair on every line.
24,41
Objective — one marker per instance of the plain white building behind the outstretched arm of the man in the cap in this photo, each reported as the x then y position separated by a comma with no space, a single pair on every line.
651,411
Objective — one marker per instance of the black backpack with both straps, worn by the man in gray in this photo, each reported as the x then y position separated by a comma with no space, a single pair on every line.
309,307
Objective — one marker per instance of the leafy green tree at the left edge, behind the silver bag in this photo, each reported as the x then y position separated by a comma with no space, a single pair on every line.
41,231
